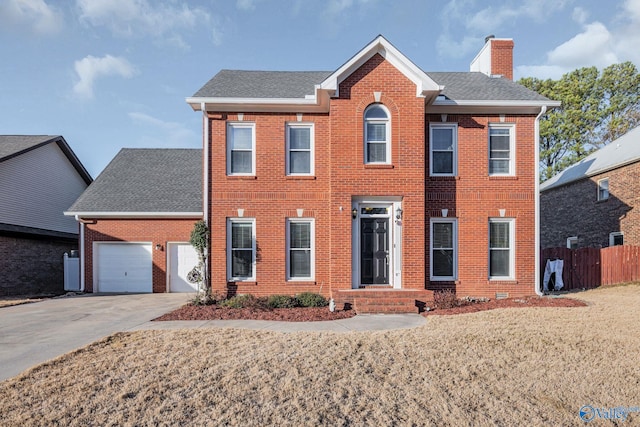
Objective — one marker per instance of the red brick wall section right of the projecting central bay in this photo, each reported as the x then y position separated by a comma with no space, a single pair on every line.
473,197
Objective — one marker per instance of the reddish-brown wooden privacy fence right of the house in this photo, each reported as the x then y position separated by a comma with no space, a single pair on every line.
592,267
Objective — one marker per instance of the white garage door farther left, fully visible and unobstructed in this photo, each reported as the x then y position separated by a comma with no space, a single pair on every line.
124,267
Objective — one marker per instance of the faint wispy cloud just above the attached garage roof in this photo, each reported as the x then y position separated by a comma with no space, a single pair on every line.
169,134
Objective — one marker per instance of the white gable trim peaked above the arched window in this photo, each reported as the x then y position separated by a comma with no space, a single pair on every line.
380,45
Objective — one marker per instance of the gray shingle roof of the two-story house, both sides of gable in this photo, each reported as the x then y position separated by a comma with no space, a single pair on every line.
459,86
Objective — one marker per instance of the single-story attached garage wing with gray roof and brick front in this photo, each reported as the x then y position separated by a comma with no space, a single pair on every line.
136,219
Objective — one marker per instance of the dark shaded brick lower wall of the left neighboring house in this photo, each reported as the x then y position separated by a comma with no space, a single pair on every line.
32,266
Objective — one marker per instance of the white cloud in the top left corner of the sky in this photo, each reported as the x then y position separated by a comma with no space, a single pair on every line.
35,15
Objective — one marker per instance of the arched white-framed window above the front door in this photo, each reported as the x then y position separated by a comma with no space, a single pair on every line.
377,135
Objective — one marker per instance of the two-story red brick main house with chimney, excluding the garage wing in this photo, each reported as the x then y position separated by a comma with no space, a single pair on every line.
374,180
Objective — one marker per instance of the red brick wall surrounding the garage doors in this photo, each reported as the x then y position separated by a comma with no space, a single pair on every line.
155,231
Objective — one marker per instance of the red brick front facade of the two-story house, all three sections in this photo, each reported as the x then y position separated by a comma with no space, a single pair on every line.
342,178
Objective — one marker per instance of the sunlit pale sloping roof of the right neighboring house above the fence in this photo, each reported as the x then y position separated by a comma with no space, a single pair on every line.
622,151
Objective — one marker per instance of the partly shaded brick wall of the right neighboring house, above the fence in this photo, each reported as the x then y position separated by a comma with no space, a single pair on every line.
573,210
